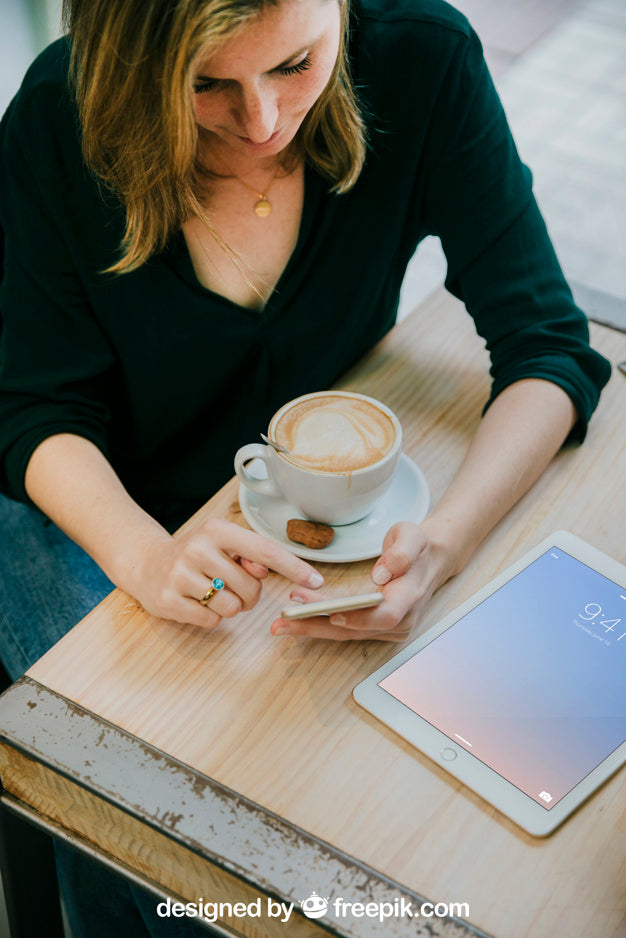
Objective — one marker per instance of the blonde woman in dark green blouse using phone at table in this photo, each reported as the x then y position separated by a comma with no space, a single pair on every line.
205,221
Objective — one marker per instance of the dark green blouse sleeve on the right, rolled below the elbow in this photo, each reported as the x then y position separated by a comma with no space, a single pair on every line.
501,263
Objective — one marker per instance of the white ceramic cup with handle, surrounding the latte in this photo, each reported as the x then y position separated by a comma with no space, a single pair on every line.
331,497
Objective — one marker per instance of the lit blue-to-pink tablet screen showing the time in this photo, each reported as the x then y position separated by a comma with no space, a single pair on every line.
532,680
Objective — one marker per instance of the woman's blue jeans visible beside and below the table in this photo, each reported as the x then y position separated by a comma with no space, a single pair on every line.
47,584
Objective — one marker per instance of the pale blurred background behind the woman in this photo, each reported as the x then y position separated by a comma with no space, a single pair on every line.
560,68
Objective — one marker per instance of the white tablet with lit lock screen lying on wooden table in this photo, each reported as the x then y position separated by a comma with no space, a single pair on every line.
520,693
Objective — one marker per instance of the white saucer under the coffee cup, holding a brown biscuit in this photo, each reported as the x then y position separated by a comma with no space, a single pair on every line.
407,499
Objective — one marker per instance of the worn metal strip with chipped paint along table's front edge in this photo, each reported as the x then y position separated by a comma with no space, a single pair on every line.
250,842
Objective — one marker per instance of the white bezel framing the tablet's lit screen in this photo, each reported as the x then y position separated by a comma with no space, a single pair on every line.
467,768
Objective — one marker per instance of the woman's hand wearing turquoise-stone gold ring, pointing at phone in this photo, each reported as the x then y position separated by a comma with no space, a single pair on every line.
175,573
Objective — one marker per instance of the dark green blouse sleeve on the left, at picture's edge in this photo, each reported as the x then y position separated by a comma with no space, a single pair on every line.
54,358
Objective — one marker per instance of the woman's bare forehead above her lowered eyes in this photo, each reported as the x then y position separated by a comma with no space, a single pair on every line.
268,38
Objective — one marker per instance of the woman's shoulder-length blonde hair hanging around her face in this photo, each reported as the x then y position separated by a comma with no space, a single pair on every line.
132,73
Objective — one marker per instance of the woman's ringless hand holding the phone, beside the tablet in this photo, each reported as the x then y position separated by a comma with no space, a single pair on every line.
411,567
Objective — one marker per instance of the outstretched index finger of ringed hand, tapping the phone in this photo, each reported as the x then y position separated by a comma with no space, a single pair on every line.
237,540
